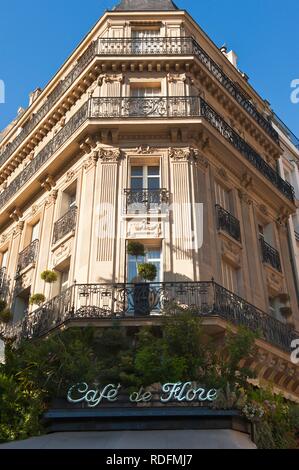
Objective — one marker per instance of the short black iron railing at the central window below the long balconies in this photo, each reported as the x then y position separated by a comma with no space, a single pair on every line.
144,201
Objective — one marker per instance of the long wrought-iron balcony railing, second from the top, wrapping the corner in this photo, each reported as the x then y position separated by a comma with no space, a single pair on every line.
146,108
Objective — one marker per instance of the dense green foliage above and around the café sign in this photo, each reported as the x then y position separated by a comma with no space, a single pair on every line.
178,351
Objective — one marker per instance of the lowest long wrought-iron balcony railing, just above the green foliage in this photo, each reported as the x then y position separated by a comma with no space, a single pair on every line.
91,302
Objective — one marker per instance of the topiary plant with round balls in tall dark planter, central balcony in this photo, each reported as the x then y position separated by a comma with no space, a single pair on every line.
147,272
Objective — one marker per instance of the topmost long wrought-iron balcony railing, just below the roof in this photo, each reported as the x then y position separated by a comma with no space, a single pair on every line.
152,46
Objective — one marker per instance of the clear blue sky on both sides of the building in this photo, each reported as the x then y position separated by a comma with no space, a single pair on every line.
36,37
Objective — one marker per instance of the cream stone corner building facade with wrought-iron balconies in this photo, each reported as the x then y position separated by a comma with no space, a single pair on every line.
150,132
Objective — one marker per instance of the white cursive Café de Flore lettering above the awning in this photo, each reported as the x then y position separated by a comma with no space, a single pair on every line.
170,392
